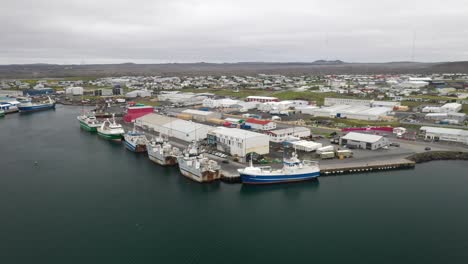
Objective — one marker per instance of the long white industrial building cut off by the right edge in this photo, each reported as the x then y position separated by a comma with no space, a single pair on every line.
444,134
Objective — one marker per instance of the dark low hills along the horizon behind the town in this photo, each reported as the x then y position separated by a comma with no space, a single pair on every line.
244,68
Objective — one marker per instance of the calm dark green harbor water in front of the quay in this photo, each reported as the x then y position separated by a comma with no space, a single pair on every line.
68,196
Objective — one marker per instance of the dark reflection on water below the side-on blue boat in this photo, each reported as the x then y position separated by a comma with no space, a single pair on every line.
287,188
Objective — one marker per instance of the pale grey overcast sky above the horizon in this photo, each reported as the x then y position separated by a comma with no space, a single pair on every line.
153,31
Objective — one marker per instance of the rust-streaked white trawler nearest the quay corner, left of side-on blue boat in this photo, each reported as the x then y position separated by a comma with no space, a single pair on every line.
197,167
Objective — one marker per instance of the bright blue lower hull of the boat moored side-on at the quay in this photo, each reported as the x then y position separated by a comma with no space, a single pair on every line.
272,179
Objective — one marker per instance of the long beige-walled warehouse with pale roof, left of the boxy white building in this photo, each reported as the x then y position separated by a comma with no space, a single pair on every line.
184,130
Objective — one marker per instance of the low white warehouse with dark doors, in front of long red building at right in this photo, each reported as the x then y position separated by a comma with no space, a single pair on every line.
364,141
